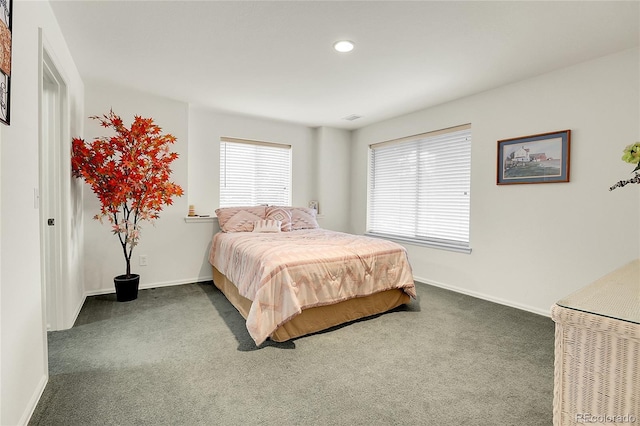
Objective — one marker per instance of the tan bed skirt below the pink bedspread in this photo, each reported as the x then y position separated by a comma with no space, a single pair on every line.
318,318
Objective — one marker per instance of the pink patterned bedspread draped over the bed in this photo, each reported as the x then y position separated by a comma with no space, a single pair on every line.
283,273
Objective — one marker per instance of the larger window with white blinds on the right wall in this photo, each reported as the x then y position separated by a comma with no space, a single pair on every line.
419,188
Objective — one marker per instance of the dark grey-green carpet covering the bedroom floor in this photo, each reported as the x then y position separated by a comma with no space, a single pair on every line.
181,356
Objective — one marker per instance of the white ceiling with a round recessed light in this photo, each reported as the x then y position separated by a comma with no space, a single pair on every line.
275,59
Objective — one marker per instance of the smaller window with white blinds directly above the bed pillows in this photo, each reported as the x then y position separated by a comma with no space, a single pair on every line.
254,173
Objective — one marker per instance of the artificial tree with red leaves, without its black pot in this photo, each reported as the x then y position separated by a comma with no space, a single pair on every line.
129,173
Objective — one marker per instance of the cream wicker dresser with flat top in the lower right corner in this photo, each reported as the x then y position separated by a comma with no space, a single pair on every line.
597,352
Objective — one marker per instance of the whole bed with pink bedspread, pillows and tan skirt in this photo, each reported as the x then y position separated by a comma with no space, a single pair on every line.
288,277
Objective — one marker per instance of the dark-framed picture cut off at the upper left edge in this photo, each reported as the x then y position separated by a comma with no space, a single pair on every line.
6,17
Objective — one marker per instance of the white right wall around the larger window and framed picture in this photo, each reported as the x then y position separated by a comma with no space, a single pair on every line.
574,232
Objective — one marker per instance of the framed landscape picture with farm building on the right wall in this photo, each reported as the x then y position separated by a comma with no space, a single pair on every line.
541,158
